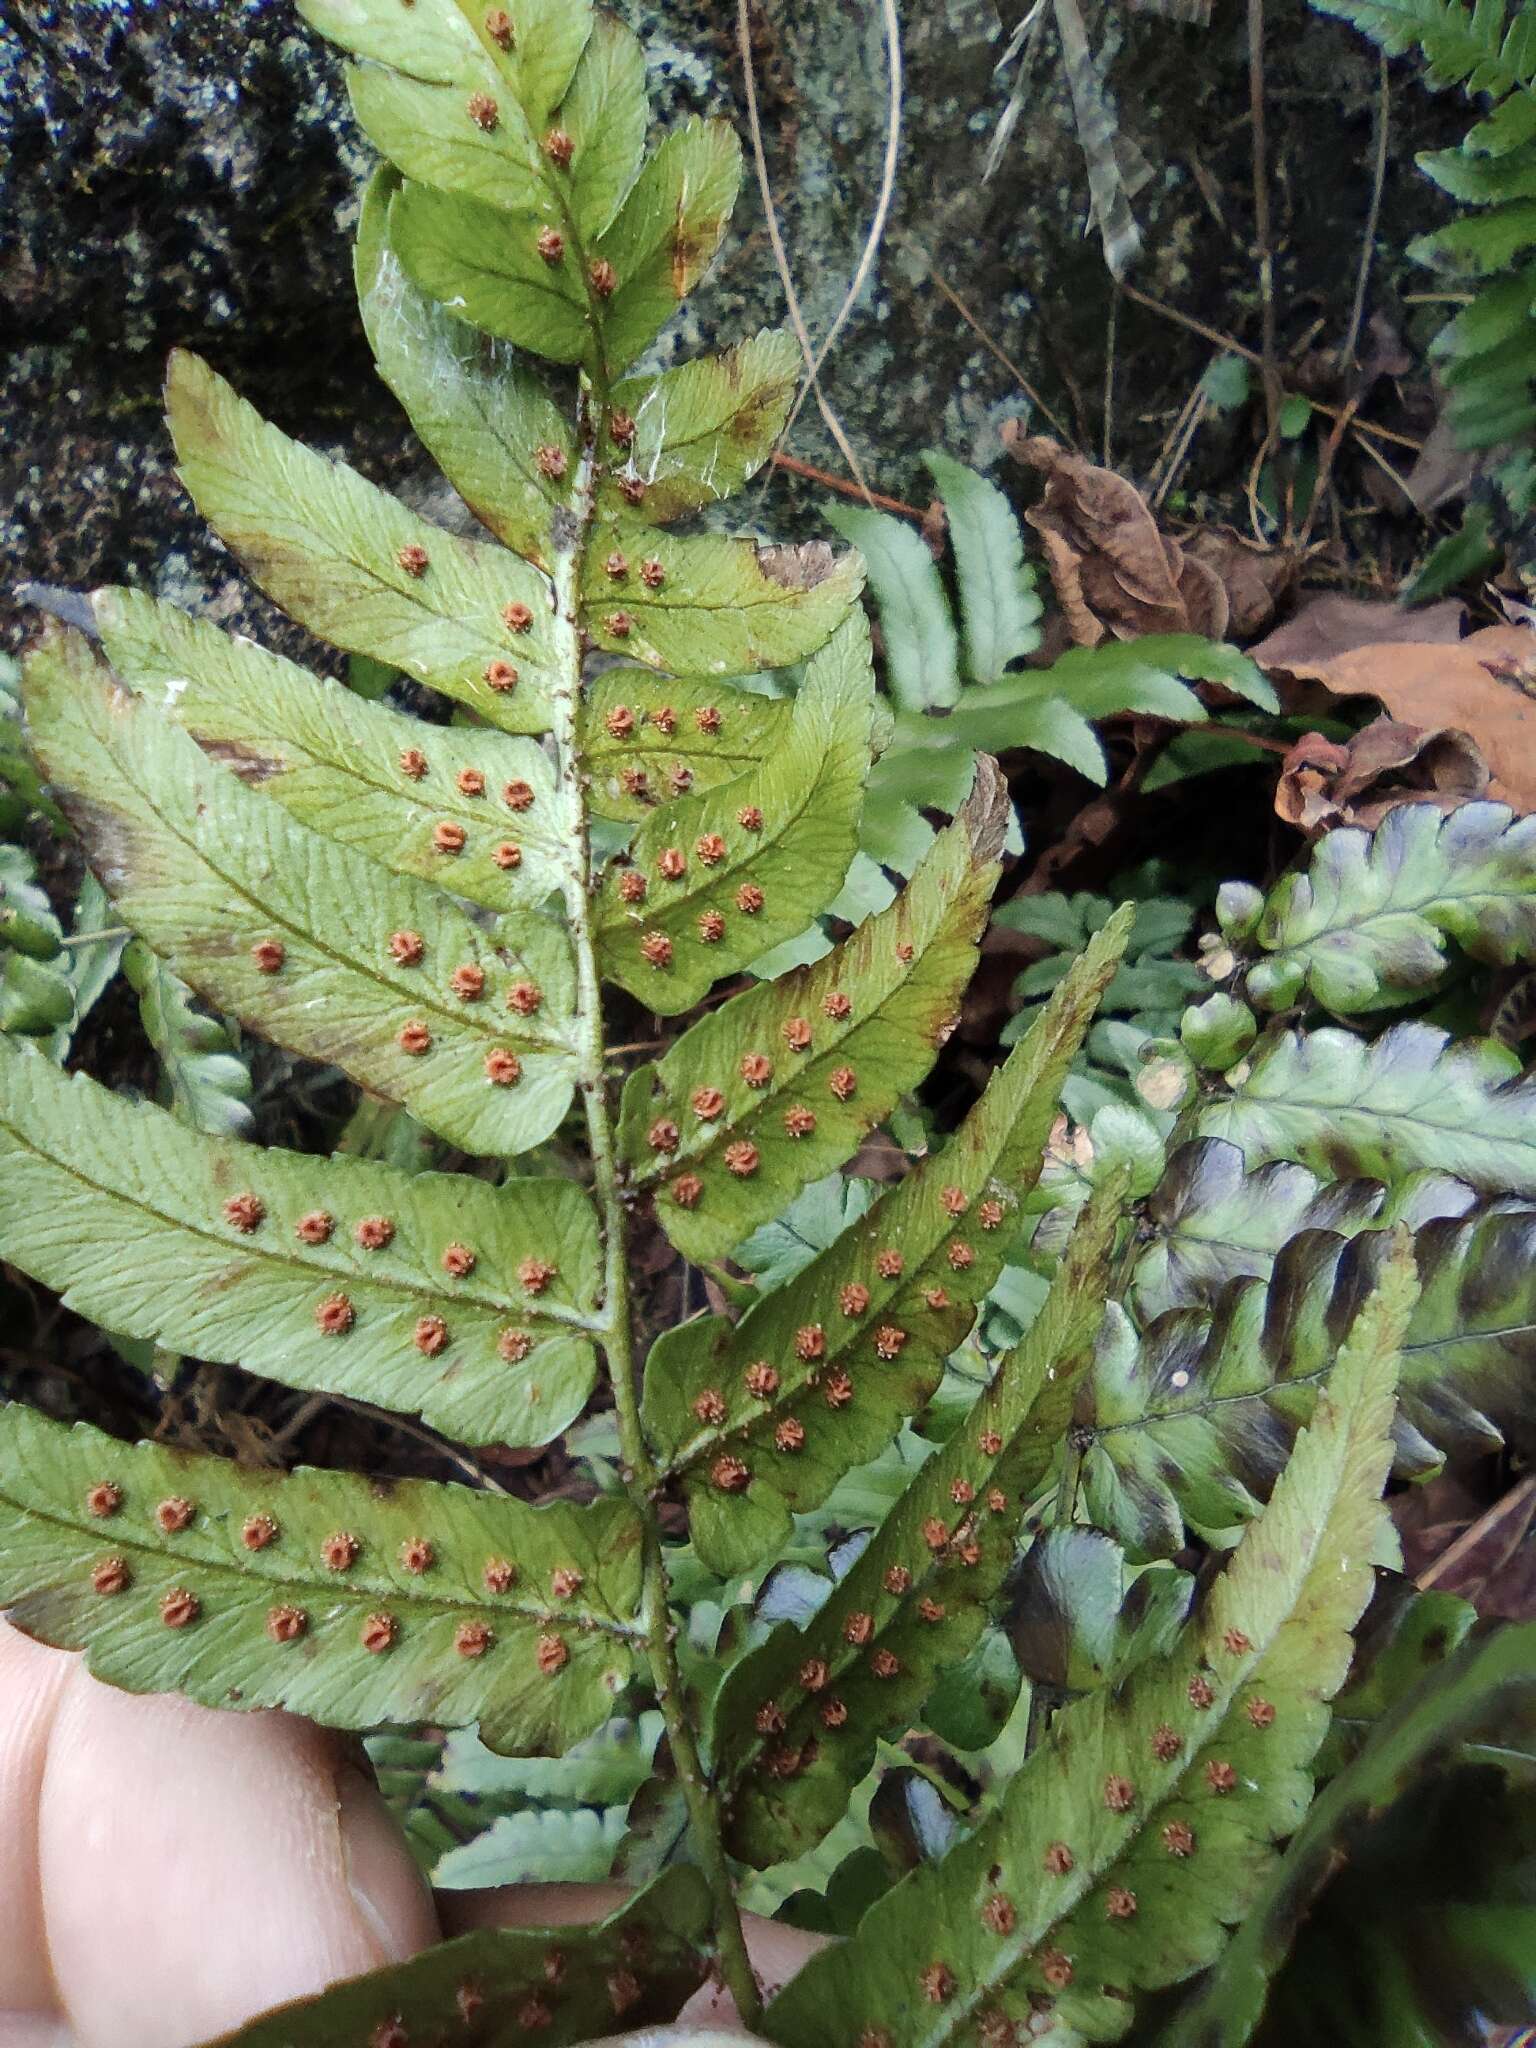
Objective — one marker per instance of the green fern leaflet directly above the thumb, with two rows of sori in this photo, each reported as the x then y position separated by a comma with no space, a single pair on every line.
267,1621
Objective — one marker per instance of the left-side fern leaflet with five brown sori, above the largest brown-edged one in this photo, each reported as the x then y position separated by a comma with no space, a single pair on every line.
335,761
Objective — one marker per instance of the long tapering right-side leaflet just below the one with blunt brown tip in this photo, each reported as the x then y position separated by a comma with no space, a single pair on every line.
906,1283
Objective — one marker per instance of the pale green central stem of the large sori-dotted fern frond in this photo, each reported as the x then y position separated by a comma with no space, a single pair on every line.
617,1332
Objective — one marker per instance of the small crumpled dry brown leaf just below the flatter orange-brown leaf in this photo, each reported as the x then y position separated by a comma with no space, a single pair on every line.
1326,785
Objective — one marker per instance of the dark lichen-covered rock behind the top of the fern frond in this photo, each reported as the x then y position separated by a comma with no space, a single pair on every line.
187,173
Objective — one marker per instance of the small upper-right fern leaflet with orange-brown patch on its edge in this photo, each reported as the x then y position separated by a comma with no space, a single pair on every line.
667,234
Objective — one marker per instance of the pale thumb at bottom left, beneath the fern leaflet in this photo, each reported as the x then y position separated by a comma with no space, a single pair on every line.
202,1867
